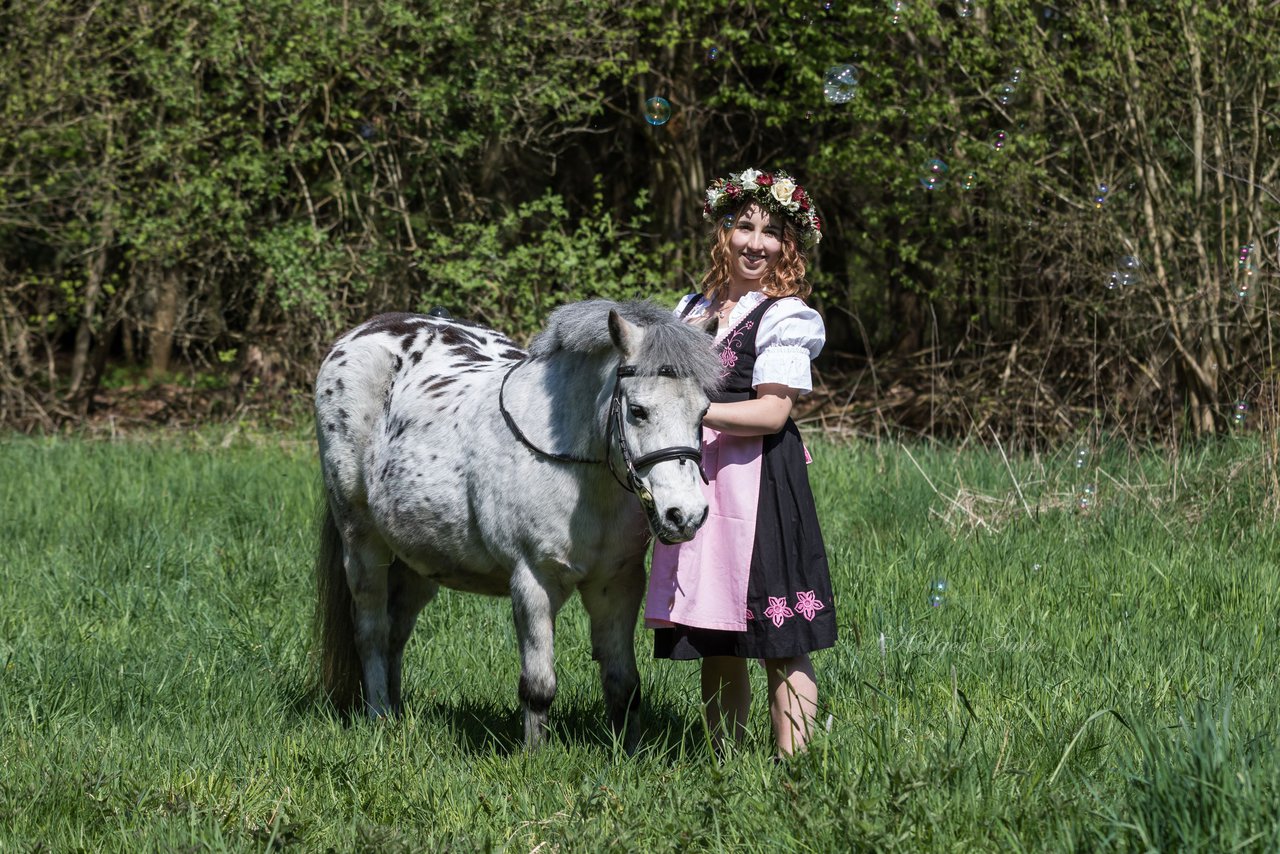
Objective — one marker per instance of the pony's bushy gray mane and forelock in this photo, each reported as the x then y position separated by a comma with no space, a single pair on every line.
584,327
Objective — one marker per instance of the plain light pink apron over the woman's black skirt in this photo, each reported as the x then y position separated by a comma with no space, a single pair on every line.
703,583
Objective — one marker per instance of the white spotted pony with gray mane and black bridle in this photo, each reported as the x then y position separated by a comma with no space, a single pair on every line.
454,458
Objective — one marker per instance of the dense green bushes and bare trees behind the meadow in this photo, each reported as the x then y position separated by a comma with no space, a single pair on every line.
198,197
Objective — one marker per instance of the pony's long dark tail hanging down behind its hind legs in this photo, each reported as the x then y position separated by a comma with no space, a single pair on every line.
335,628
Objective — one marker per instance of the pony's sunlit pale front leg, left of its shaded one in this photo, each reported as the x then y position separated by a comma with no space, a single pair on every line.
536,602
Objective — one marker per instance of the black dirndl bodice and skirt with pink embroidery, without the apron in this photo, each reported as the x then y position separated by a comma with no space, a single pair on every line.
789,599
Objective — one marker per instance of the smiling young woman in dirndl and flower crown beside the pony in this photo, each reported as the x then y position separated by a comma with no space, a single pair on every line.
755,582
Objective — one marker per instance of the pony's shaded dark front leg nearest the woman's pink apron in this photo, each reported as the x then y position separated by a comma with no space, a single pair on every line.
614,606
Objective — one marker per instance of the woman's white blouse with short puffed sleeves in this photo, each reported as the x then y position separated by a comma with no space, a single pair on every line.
792,335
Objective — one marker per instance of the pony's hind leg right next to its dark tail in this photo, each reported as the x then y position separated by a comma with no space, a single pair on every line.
367,560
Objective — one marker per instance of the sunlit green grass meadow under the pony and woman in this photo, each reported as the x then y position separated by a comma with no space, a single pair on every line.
1094,681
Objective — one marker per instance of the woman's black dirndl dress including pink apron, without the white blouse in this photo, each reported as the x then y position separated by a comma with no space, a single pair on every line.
755,582
